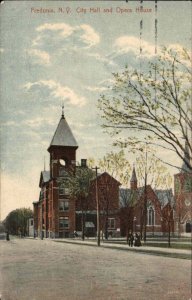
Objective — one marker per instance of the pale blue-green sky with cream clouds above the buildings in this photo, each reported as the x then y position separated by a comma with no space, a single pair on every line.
65,52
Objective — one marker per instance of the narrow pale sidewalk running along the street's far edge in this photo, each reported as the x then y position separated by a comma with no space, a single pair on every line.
168,252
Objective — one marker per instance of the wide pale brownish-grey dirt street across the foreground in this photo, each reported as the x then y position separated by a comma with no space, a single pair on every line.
46,270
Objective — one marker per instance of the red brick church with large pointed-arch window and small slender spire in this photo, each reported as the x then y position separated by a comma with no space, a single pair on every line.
159,209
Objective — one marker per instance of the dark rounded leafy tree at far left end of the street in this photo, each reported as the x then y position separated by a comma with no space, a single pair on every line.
16,221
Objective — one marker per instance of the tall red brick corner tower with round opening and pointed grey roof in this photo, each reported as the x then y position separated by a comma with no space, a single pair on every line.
61,207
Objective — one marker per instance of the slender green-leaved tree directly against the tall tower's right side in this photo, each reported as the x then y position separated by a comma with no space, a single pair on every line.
79,186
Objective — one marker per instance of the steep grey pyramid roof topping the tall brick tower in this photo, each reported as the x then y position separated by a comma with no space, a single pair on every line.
63,135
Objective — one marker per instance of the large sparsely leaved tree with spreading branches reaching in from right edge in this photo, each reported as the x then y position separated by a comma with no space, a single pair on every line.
155,104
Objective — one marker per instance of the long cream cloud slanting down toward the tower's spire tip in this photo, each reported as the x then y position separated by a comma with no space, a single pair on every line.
57,91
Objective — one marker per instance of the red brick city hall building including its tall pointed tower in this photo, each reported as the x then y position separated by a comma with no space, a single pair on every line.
56,213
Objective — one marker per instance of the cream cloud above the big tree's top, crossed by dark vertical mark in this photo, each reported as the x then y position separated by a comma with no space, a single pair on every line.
125,44
